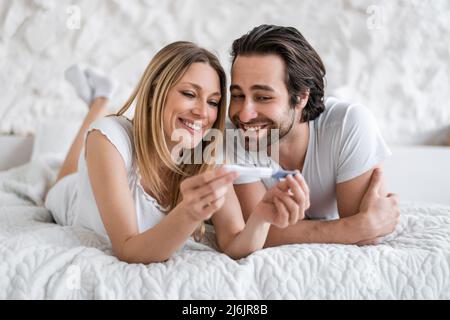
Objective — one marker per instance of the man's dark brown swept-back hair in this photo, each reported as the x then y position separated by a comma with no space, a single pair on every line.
304,68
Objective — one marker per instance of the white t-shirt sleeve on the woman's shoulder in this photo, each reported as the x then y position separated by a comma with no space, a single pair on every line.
116,131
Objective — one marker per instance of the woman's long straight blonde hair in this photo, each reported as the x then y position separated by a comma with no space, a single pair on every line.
166,68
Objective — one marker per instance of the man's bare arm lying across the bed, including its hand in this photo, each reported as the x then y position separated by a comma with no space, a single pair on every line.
352,229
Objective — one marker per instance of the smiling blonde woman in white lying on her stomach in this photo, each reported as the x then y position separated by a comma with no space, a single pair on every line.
127,187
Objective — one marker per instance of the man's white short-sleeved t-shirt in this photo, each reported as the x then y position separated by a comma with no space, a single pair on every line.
344,142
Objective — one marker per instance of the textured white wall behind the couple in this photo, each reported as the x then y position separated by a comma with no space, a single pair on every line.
393,56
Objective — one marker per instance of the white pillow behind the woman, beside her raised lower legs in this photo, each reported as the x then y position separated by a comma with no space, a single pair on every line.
54,138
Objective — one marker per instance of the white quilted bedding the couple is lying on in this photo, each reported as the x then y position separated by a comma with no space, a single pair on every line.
41,260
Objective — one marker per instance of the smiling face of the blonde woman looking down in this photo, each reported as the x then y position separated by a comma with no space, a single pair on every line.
191,107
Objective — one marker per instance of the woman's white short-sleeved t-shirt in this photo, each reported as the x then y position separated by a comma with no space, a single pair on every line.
72,201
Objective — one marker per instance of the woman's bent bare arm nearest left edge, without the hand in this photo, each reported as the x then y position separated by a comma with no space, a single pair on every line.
109,183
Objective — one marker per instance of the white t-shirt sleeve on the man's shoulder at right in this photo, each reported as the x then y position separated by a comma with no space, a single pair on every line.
361,145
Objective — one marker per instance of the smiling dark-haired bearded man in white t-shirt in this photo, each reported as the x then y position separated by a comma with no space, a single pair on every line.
278,83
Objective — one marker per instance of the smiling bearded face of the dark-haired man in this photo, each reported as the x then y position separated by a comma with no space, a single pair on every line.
259,96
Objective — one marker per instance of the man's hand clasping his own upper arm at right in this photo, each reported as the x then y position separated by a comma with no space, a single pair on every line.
380,214
